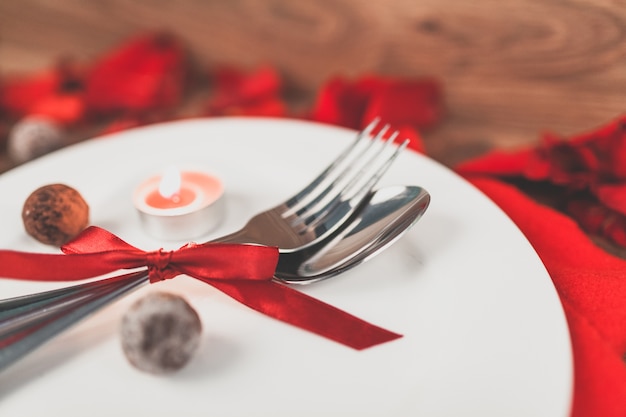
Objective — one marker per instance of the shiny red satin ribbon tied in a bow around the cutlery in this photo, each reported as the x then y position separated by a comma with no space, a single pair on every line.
244,272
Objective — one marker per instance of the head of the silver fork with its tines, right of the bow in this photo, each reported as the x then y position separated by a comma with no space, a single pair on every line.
317,210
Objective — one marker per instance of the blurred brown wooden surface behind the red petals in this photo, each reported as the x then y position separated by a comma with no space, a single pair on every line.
510,69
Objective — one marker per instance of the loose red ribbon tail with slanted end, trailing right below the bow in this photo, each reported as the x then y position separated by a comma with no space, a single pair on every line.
293,307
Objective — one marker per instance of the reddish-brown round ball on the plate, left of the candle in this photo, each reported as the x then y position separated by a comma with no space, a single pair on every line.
54,214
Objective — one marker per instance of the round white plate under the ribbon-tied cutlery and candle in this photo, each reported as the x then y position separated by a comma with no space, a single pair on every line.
484,332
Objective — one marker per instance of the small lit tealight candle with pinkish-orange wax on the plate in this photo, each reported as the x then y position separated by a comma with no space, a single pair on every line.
179,205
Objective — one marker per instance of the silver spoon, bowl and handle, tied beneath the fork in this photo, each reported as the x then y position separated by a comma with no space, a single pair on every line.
27,322
